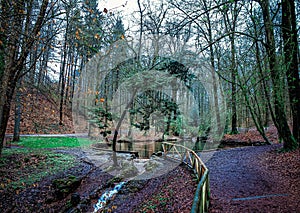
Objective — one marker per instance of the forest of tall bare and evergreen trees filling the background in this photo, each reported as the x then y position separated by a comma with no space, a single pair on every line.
158,70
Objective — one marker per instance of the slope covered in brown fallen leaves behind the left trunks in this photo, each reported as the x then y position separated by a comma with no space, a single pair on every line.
39,115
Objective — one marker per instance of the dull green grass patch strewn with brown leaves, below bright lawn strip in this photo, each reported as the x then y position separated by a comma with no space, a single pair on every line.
21,168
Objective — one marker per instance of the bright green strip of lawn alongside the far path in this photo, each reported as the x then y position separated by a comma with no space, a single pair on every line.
54,142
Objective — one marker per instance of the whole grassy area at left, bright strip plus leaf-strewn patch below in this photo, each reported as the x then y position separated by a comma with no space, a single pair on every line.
22,167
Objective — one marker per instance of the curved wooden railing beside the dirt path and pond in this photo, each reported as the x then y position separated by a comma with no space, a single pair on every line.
190,158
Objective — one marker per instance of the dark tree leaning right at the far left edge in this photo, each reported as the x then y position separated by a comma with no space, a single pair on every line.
16,42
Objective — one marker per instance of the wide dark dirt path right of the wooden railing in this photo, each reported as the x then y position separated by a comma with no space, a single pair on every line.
249,179
